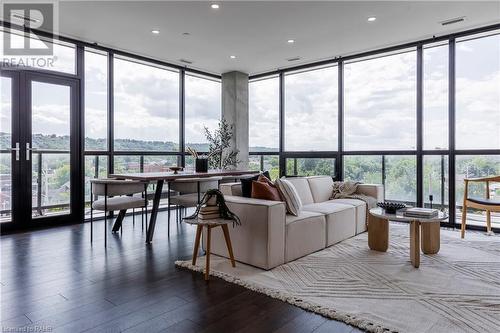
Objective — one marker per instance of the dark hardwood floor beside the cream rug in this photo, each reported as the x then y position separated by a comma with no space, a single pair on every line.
56,280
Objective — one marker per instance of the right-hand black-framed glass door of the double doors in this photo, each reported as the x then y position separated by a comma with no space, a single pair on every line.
51,147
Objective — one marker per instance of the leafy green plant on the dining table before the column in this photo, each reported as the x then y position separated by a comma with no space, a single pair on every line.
221,156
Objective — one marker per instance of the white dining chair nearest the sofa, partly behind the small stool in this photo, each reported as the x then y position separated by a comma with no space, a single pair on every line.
190,190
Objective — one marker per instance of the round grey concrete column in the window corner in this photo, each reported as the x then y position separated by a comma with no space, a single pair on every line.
235,112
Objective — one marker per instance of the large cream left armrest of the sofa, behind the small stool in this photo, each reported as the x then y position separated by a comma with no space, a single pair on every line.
260,239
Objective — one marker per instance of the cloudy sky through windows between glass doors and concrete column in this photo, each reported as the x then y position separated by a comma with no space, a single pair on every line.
147,102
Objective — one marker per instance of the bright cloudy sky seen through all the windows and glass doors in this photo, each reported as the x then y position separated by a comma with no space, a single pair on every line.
380,102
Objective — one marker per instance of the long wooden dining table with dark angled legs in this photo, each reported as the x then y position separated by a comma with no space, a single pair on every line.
167,177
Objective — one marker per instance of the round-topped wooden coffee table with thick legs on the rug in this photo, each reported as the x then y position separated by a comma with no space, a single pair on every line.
378,232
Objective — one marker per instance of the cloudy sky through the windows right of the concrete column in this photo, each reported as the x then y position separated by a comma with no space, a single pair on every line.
380,103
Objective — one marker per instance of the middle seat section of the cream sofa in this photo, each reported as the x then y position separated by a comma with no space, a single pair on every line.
340,220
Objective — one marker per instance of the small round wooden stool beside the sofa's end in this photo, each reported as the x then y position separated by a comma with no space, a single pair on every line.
210,224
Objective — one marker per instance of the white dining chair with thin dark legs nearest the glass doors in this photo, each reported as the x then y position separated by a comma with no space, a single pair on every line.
117,195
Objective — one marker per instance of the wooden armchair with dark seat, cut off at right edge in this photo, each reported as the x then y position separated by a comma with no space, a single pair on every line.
488,204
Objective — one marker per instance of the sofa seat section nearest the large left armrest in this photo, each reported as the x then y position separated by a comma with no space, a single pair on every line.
304,234
